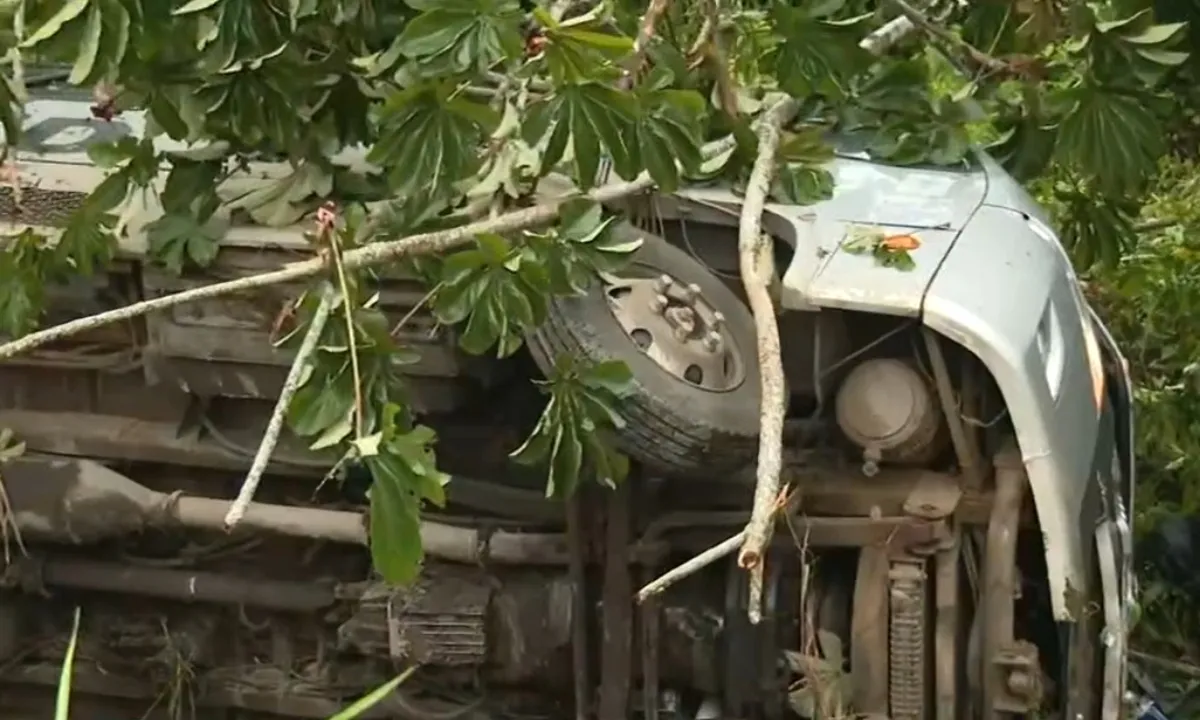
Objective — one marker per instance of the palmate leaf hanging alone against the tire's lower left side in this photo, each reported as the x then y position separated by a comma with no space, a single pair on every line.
572,436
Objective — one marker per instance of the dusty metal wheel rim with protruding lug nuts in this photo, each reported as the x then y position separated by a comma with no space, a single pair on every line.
679,328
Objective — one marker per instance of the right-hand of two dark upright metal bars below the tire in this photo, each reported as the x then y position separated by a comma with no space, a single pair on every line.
616,653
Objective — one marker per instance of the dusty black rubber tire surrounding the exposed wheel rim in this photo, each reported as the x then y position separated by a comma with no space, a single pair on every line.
674,428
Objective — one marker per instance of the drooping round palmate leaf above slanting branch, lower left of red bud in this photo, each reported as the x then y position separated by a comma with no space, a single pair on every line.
429,141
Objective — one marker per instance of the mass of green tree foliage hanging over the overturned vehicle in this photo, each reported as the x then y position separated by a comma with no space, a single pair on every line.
465,106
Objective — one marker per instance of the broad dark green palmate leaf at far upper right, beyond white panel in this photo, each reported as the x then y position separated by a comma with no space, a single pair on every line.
1112,135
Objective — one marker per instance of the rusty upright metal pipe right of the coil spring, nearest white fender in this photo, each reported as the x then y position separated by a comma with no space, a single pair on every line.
1000,581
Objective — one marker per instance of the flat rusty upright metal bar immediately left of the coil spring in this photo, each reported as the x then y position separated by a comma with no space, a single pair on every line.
869,633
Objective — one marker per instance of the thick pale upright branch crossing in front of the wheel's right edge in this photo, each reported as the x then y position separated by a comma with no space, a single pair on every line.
757,263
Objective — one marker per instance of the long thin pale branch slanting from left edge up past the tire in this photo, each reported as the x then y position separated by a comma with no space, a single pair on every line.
375,254
